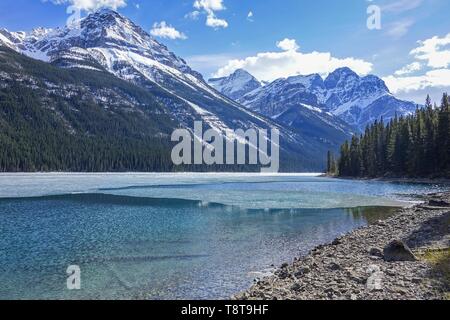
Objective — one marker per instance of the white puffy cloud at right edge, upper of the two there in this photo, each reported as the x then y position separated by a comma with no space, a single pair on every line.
434,51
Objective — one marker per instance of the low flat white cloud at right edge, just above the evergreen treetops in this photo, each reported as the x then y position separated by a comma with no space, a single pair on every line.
431,79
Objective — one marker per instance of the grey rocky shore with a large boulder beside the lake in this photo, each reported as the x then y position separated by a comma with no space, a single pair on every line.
387,260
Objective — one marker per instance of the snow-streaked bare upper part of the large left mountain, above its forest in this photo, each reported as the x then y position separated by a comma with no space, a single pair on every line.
106,41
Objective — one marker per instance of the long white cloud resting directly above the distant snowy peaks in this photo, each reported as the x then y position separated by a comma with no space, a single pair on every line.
268,66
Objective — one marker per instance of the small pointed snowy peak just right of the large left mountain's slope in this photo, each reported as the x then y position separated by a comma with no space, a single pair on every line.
235,85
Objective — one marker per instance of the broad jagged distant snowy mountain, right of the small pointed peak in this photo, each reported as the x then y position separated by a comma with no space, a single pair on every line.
356,100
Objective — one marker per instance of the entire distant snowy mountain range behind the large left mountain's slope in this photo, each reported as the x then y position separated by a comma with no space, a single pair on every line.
356,101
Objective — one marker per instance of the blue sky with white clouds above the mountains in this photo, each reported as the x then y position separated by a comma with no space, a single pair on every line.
406,42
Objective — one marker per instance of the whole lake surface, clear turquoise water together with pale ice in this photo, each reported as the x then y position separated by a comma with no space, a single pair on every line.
187,236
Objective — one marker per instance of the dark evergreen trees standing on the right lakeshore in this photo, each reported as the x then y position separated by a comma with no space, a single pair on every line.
412,146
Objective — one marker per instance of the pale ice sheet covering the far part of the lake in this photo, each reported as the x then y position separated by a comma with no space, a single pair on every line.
248,191
